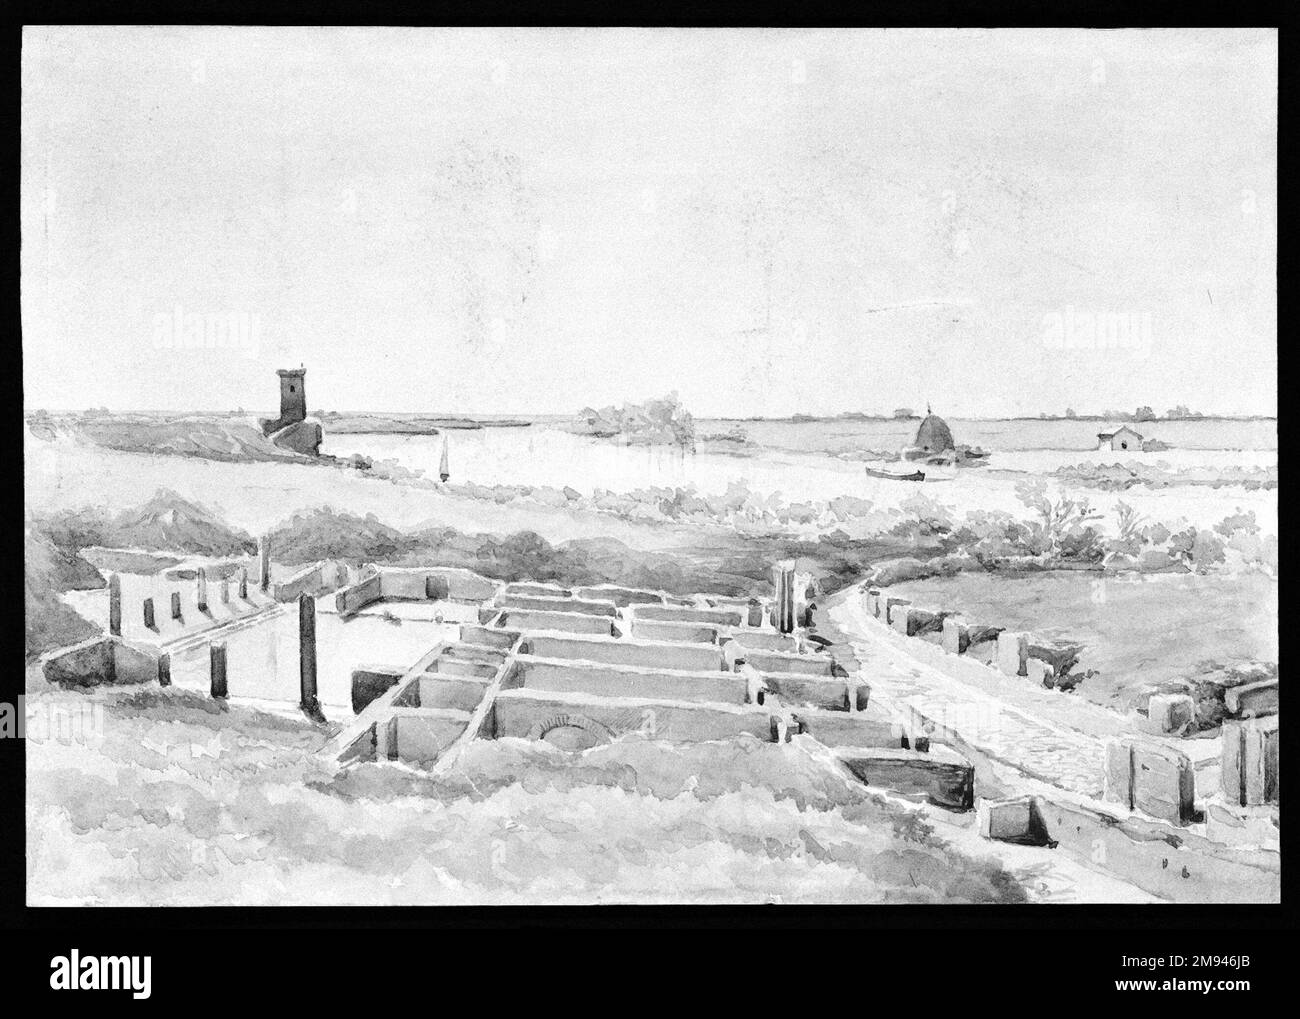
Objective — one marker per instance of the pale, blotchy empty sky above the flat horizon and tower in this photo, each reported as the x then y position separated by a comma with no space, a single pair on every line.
765,222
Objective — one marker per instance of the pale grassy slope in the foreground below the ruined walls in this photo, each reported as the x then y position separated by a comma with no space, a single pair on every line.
179,801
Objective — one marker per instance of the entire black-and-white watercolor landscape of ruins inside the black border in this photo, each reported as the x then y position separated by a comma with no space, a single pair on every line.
570,467
